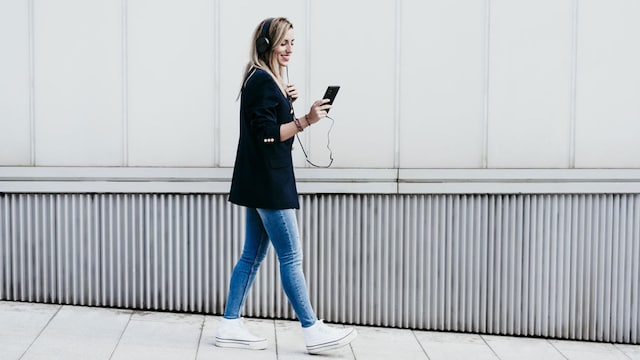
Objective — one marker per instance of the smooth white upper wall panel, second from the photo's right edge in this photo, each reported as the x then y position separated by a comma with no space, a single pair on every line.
529,105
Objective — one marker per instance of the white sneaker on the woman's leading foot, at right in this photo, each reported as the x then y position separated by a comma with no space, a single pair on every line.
320,337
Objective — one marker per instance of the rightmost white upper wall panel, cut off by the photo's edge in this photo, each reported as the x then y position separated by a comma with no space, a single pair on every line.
608,84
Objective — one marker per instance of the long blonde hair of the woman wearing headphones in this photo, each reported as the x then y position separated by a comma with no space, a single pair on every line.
268,62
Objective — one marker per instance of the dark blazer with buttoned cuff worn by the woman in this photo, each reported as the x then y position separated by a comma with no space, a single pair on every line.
263,174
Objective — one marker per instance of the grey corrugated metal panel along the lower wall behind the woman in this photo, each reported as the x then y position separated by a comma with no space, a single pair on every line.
564,266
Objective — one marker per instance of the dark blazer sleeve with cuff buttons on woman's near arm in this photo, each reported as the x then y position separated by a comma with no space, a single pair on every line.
261,101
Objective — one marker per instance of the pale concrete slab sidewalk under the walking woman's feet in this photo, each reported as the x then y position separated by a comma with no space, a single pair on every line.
40,331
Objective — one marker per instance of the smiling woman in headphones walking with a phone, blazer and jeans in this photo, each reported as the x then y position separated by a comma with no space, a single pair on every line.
264,182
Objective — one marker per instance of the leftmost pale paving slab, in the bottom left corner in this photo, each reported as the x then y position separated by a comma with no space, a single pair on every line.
20,325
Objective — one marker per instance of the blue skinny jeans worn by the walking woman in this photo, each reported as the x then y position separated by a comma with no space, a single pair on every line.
281,229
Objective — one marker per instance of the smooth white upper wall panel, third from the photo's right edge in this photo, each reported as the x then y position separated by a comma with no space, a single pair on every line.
442,84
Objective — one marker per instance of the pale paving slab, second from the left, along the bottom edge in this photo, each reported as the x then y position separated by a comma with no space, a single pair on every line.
81,333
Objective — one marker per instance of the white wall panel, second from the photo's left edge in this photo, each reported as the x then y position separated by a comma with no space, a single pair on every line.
78,71
